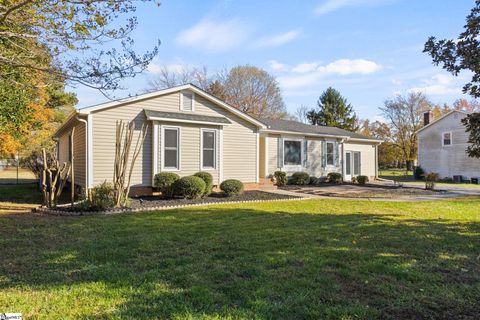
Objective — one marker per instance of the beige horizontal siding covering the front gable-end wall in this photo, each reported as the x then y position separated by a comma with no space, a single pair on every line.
239,140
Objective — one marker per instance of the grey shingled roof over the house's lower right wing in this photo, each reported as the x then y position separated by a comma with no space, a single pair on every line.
298,127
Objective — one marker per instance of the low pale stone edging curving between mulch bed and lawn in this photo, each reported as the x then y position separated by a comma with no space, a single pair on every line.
146,209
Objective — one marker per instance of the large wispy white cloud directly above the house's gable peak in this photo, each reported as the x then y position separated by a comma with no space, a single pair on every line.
215,36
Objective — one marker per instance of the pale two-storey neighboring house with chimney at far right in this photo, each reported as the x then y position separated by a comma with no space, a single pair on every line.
442,146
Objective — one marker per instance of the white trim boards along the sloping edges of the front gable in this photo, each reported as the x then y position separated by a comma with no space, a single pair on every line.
150,95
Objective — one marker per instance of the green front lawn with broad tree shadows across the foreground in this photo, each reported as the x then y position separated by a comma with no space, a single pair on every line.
316,259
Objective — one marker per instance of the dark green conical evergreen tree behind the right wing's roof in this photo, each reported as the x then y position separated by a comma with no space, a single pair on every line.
333,111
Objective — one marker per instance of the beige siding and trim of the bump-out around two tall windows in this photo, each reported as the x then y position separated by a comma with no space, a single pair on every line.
190,136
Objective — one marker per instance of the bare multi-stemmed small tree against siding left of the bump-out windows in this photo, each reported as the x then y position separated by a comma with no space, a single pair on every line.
122,172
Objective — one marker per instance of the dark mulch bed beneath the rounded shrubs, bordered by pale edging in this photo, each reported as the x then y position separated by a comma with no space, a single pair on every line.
152,203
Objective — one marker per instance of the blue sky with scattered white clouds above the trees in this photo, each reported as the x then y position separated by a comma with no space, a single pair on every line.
370,50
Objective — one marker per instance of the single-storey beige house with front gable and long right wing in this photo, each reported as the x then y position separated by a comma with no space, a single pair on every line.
190,130
